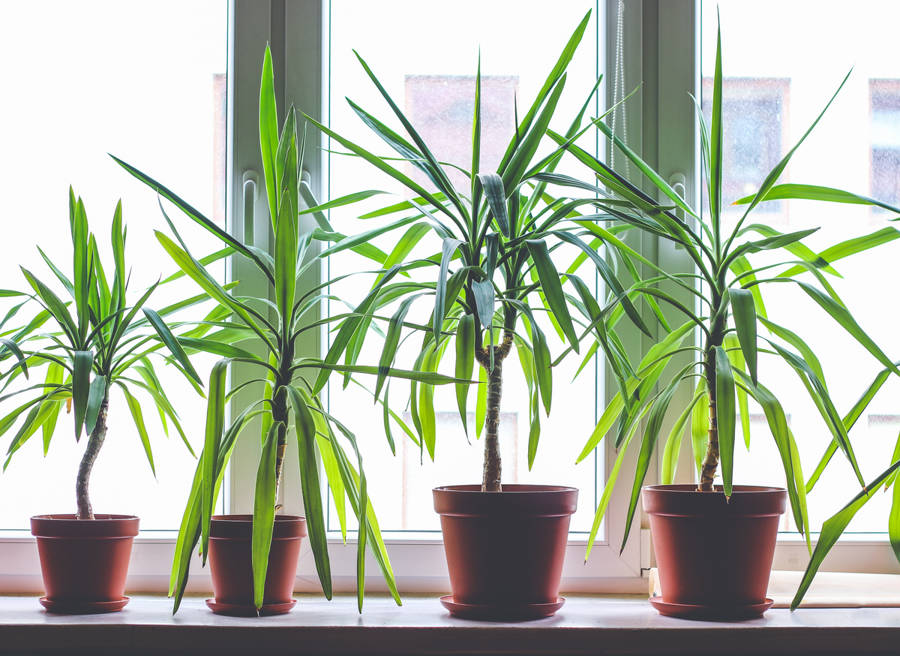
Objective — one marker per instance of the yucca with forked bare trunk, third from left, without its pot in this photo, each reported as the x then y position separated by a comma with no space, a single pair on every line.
494,266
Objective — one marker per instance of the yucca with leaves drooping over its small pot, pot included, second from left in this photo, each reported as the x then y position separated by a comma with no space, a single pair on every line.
253,558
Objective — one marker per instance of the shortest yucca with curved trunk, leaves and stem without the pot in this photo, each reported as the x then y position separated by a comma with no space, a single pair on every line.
97,342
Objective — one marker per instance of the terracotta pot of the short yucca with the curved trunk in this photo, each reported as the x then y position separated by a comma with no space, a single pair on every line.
84,562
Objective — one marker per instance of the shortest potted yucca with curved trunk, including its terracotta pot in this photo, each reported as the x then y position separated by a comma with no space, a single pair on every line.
99,343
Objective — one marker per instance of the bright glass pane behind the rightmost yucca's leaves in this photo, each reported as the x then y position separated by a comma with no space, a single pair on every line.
771,96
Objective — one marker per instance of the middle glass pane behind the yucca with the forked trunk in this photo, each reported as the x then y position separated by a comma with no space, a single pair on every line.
427,62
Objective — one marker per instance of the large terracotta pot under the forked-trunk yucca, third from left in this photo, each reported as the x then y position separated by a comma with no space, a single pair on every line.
505,550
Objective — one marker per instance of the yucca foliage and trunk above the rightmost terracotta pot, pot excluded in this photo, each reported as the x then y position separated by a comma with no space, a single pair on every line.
729,312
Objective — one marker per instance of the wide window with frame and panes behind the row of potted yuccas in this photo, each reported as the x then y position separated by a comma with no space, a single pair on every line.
174,87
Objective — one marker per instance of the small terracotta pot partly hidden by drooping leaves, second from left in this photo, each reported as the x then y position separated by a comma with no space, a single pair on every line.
232,571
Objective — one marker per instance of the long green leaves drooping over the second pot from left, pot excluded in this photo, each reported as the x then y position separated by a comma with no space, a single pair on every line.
286,401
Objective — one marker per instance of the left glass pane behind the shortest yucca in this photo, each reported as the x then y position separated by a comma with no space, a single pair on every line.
147,83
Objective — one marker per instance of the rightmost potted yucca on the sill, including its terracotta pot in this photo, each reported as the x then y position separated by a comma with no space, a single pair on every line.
714,544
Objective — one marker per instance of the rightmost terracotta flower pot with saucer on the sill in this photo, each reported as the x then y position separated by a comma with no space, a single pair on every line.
714,556
